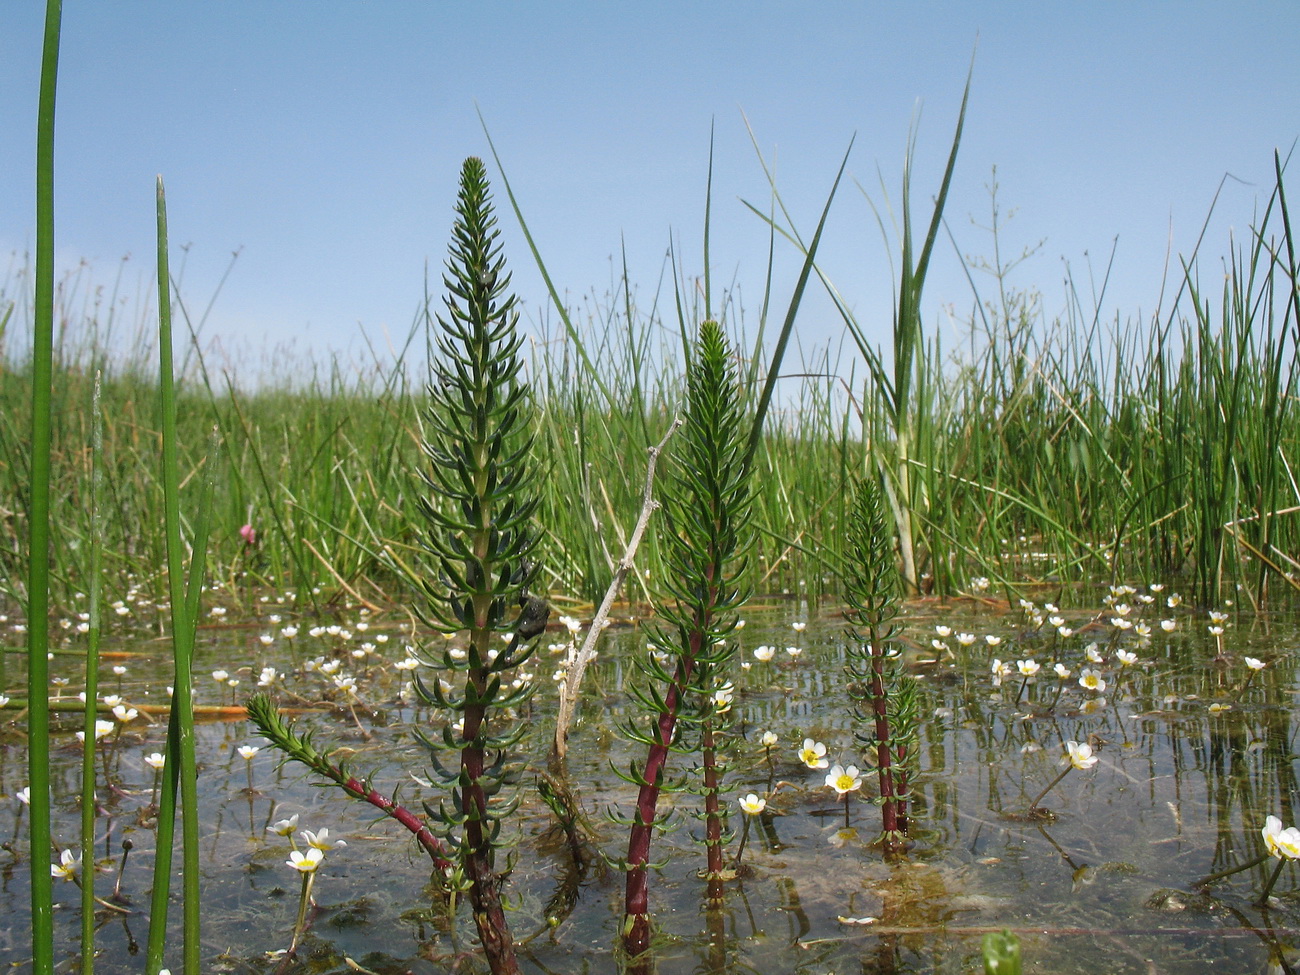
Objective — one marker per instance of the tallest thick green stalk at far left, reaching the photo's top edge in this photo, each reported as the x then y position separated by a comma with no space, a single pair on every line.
38,573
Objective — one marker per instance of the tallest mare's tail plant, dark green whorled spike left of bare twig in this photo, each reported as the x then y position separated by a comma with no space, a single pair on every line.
479,502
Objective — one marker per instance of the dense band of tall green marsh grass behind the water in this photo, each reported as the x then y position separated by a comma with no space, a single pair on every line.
1055,452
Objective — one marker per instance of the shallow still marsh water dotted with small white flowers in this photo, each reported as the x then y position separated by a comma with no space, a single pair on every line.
1104,885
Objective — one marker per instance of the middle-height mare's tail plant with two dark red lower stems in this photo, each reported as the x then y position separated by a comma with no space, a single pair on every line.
707,532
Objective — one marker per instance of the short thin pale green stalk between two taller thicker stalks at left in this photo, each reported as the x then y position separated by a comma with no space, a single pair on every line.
97,567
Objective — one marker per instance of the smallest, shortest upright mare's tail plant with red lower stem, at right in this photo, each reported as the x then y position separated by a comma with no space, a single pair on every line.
883,696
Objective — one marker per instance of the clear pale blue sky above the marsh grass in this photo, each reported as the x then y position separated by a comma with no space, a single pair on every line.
324,142
